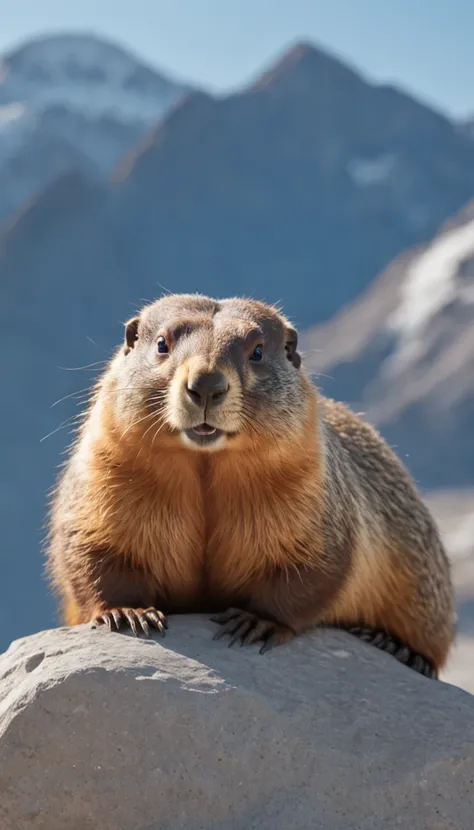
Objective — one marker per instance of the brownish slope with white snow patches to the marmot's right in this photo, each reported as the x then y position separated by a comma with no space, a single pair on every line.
404,353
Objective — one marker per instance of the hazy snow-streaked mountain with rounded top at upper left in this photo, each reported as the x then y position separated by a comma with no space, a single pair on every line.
72,101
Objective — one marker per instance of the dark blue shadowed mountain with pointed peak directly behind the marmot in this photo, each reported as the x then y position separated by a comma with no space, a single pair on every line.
298,190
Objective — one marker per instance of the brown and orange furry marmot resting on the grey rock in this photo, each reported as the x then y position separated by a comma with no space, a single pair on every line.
211,476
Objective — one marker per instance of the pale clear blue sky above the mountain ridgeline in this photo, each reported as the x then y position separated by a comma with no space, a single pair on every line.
424,45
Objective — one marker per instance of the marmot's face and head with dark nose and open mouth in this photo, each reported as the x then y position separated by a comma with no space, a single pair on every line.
209,374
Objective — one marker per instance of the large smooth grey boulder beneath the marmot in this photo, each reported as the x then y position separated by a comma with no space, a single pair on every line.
101,730
